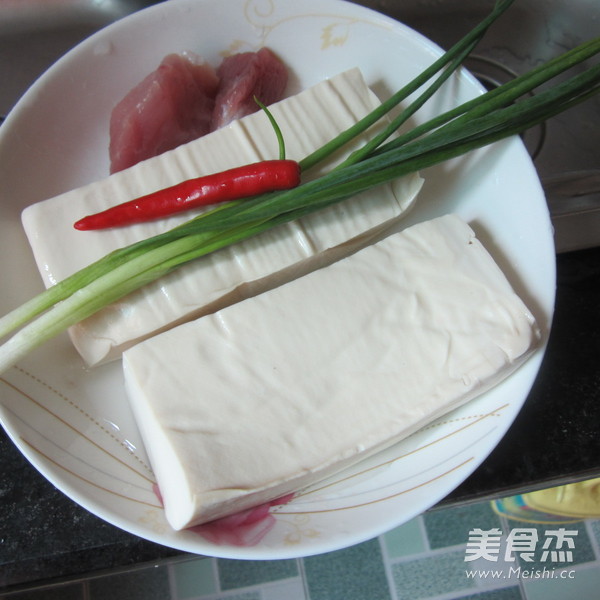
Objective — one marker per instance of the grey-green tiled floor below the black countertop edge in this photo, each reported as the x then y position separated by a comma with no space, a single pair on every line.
423,559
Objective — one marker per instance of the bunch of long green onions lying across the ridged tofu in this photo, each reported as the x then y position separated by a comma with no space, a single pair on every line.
495,115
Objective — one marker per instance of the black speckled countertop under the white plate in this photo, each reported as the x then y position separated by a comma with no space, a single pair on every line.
44,535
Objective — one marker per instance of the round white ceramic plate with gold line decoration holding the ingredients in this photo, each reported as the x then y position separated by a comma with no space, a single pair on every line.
74,424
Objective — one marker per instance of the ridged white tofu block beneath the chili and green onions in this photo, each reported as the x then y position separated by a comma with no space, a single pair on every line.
307,120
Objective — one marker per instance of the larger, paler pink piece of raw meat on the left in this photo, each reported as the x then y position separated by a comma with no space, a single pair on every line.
171,106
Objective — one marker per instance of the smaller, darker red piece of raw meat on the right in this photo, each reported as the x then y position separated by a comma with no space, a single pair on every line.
244,76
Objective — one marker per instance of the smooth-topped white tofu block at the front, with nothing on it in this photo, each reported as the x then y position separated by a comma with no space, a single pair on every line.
236,408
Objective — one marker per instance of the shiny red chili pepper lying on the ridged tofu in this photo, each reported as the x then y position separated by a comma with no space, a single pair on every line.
233,184
